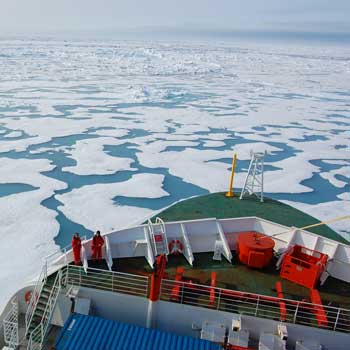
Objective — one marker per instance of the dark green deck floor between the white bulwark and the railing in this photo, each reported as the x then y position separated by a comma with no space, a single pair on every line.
236,276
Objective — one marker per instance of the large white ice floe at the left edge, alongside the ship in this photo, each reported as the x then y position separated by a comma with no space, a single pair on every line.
27,227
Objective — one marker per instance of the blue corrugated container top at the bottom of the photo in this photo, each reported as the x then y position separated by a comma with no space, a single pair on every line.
82,332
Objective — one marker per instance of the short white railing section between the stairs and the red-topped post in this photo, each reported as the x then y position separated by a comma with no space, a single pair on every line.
117,282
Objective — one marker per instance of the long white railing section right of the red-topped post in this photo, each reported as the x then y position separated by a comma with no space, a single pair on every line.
297,312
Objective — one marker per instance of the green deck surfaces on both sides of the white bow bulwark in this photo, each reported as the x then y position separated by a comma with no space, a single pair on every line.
235,275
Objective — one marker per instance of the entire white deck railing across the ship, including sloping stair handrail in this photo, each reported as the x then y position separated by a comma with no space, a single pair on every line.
262,306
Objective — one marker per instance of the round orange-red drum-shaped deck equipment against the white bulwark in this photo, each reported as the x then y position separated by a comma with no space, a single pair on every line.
255,249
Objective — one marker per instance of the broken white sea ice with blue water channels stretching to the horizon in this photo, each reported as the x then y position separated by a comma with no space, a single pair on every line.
162,102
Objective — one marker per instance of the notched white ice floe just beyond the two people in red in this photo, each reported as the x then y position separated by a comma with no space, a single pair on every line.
93,205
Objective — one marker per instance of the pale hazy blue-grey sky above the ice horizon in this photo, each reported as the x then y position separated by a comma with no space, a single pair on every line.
48,16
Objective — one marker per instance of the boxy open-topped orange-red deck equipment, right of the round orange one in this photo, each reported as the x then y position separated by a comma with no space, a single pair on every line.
303,266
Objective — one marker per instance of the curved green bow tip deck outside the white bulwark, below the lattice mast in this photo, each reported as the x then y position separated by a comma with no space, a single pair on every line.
216,205
